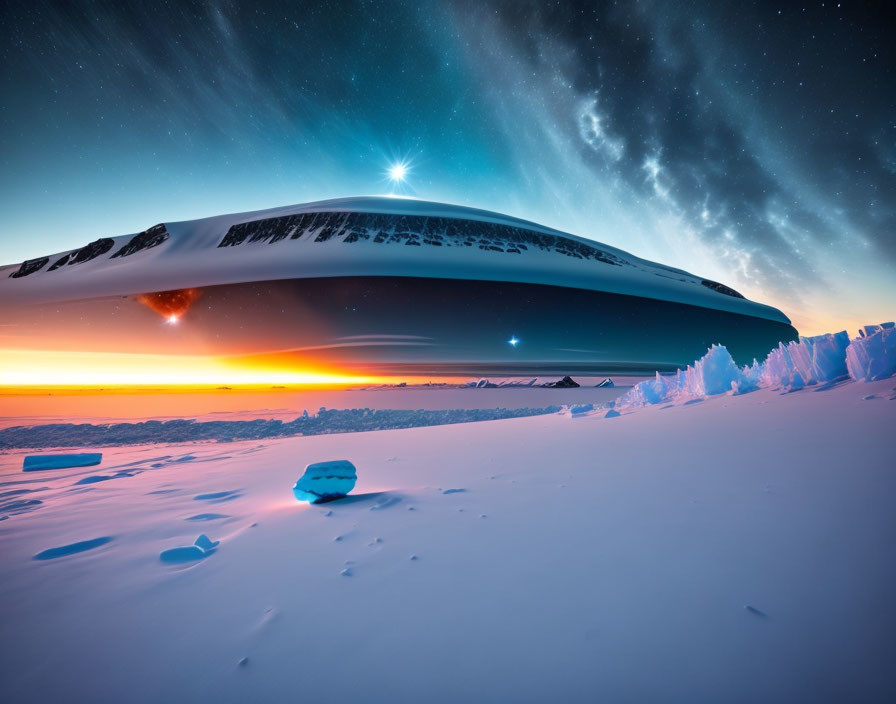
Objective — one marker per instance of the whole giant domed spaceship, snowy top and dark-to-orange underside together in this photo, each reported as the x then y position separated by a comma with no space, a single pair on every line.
383,284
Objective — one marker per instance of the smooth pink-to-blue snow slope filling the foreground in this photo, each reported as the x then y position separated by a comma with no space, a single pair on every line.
737,549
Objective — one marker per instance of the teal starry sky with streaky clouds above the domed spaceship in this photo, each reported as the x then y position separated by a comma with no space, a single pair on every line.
750,143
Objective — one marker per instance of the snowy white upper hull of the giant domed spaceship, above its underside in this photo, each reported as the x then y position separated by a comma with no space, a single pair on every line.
359,236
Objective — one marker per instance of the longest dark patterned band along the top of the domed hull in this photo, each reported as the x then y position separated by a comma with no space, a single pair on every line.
411,230
